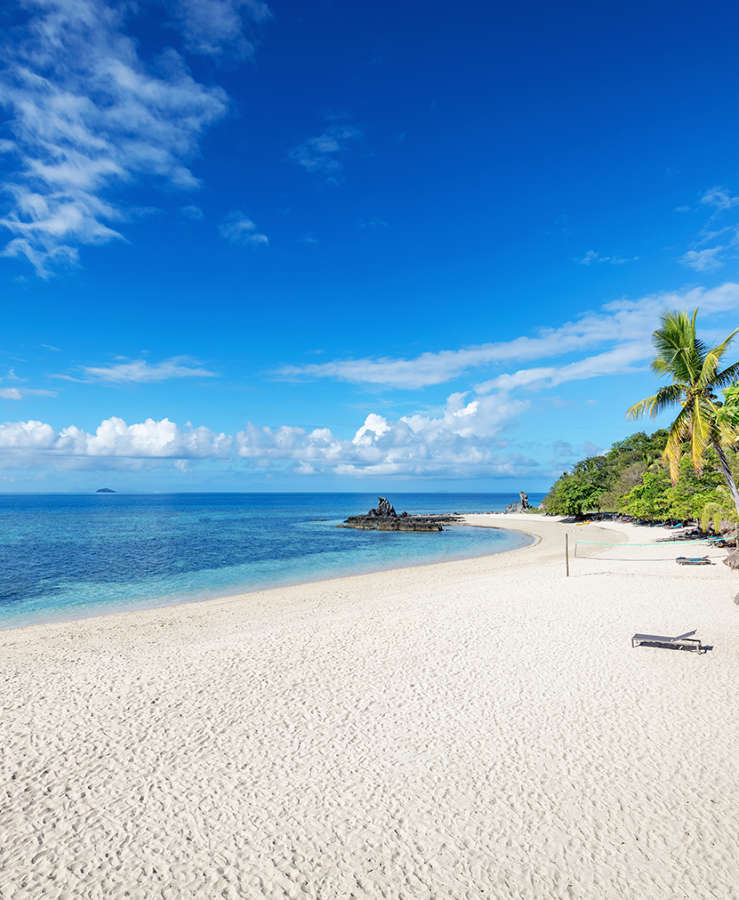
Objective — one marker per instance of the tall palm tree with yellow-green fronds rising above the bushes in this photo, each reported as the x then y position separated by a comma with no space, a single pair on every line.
696,377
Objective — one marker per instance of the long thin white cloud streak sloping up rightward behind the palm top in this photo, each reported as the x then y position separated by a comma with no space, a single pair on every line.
624,321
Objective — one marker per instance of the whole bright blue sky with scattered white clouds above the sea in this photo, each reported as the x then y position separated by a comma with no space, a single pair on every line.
350,246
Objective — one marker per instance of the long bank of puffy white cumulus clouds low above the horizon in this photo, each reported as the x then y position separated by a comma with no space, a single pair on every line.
459,440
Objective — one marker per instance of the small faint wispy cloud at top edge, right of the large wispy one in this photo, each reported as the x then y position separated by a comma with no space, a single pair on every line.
212,27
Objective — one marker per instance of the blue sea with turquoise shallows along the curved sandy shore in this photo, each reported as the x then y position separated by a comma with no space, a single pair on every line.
70,556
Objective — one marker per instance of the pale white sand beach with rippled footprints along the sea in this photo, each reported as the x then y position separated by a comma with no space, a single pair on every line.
480,728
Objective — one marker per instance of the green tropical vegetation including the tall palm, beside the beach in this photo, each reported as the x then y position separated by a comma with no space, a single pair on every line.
687,472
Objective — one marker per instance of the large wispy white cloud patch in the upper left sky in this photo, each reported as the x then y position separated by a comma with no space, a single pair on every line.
87,114
